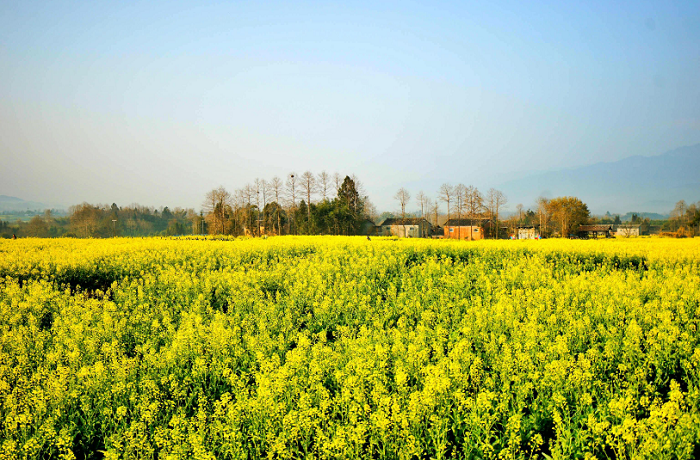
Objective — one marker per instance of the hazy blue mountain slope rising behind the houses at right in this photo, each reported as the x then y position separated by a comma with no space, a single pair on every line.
645,184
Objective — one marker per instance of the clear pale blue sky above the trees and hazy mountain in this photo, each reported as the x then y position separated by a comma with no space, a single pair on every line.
159,102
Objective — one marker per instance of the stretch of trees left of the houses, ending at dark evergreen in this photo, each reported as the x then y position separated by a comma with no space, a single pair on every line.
305,204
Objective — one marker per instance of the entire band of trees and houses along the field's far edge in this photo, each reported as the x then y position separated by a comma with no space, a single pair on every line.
335,205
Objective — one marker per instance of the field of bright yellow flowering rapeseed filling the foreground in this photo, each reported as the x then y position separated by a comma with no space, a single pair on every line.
333,347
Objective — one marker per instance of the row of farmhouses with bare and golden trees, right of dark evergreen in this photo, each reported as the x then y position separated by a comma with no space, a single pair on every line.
566,217
